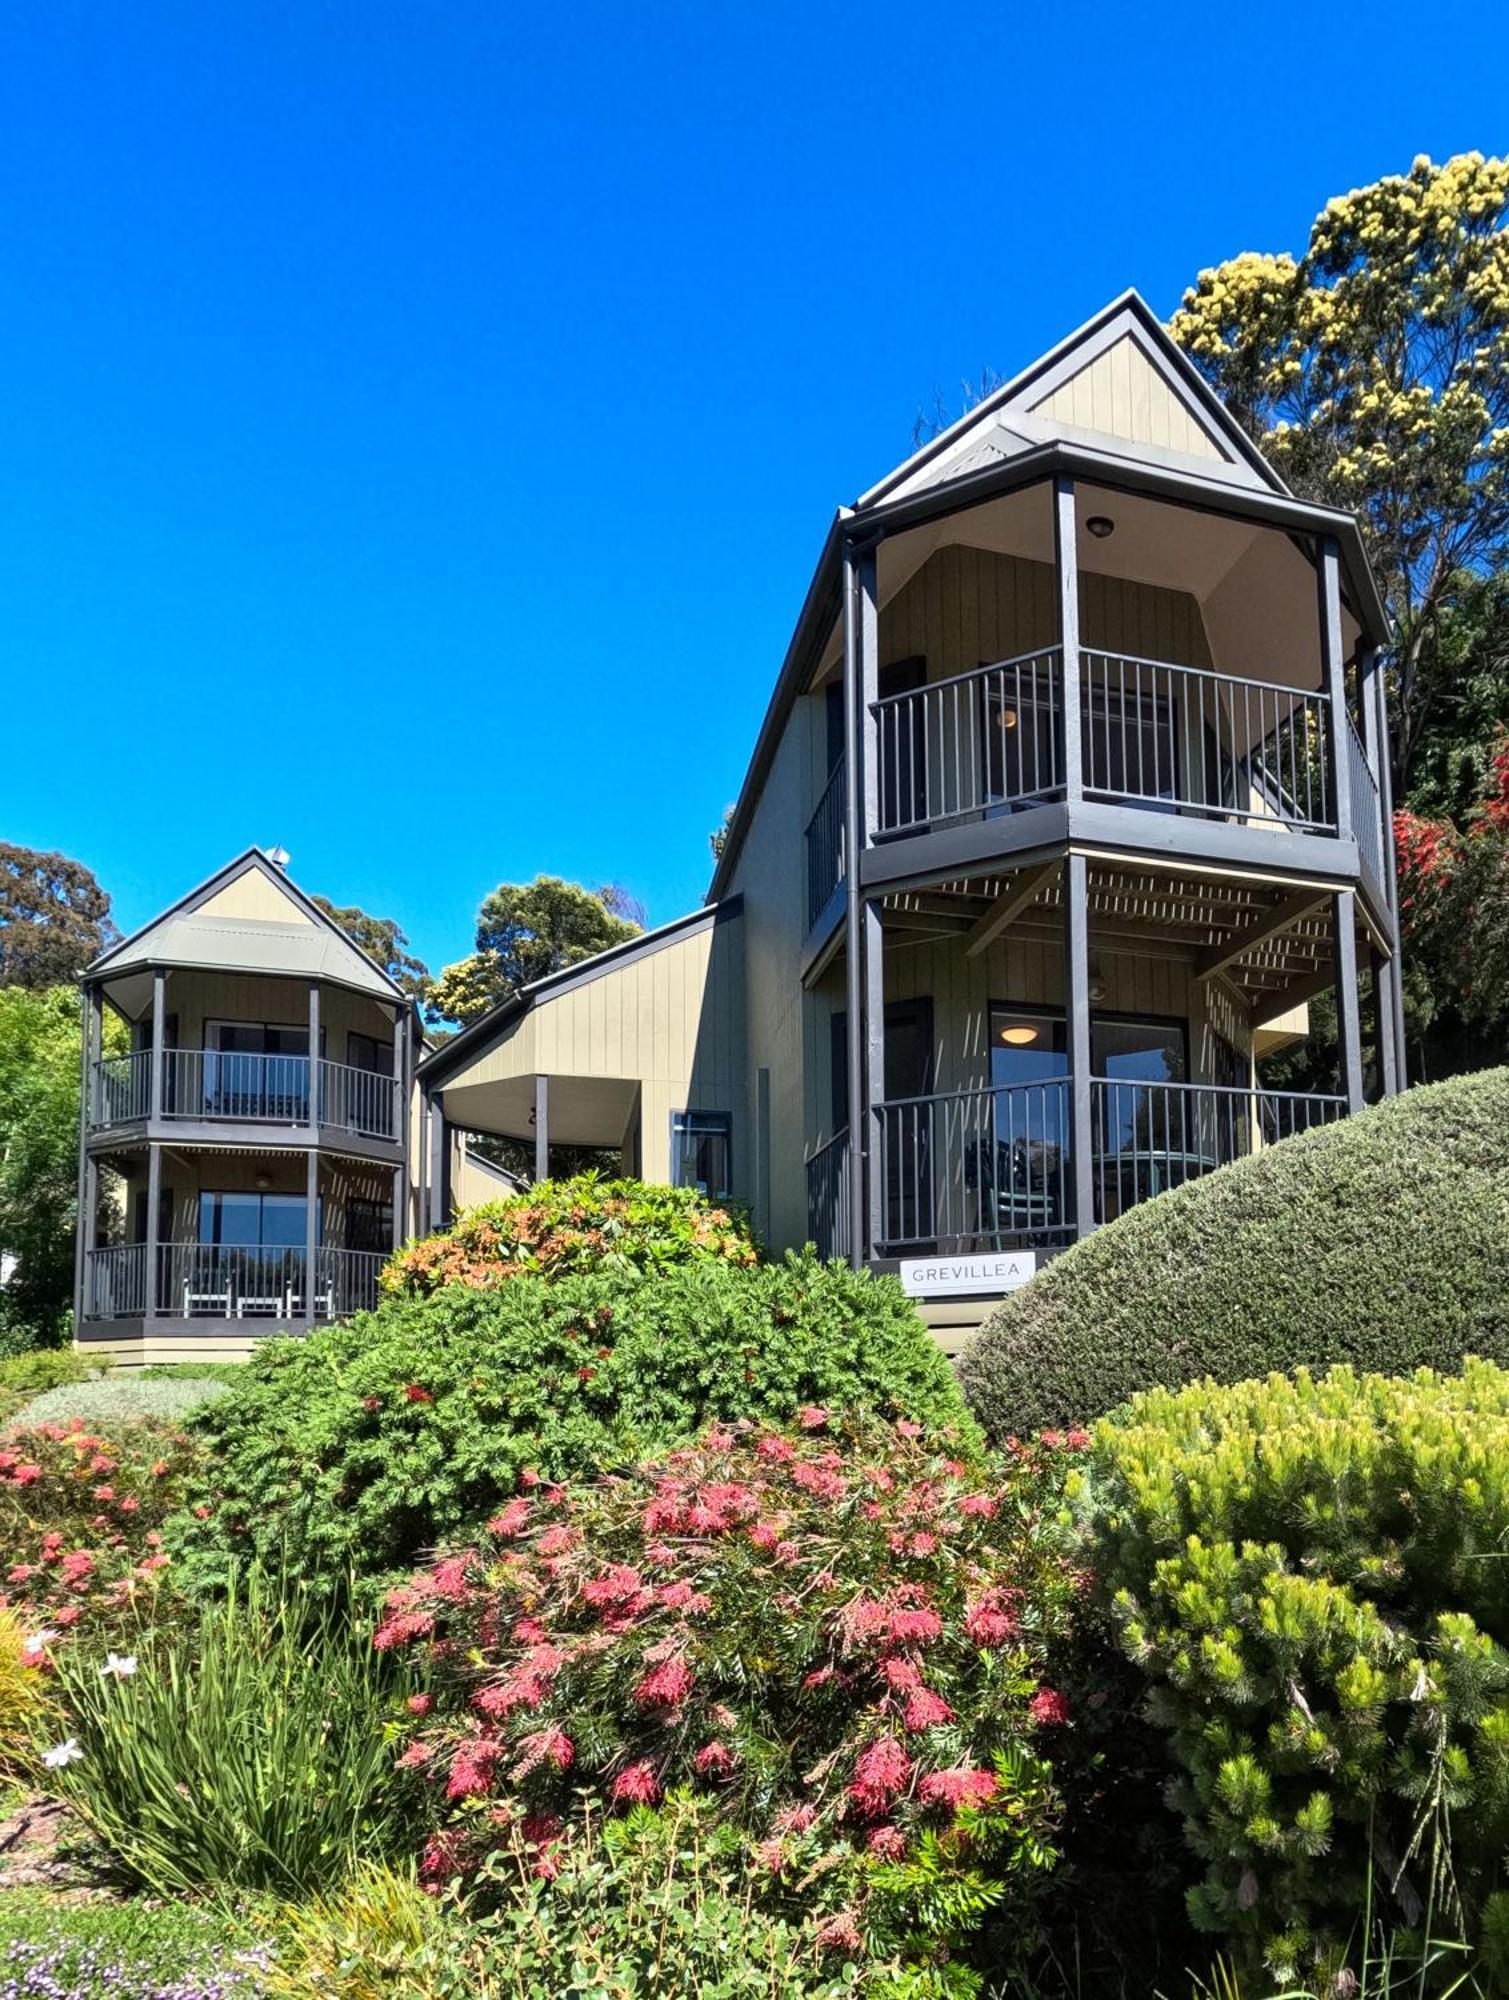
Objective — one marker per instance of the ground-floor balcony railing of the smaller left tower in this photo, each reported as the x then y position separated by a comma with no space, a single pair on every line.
229,1283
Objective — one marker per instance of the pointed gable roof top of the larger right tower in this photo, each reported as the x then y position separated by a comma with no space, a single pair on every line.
1120,383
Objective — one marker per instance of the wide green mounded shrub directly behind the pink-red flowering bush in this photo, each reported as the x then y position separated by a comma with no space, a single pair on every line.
403,1429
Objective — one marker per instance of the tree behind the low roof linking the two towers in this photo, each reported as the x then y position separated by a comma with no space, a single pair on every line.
527,931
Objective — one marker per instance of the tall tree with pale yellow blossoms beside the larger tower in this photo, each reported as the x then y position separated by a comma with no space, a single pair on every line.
1376,375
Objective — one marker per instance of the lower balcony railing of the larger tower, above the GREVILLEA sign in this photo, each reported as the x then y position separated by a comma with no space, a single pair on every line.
992,1169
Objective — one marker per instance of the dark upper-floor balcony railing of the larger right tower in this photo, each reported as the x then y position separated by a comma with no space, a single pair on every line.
1154,735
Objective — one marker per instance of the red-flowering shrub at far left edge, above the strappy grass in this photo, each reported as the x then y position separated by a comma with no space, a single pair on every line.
81,1521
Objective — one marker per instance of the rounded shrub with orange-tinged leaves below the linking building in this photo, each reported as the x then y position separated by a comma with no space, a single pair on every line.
565,1227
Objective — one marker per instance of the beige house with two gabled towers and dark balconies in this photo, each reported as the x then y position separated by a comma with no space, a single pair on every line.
1072,793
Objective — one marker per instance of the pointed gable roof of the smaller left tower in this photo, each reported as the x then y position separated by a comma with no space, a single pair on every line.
215,929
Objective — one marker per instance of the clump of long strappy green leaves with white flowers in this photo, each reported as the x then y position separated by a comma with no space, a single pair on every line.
243,1751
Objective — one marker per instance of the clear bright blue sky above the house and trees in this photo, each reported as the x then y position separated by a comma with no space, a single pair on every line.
421,421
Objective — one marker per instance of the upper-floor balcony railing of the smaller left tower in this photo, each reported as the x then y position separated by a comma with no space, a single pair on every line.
211,1087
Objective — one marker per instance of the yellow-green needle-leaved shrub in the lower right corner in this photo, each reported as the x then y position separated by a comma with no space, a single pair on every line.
1312,1577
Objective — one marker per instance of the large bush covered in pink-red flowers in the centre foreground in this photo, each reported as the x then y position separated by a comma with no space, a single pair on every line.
838,1639
